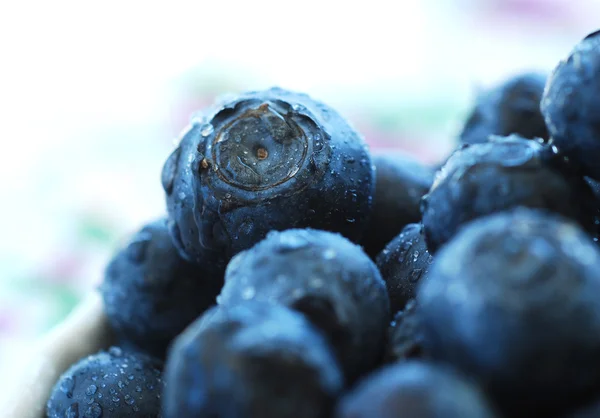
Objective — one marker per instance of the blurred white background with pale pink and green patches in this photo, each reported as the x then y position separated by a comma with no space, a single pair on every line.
92,100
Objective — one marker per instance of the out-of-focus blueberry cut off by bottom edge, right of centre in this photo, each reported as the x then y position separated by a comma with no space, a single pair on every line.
414,390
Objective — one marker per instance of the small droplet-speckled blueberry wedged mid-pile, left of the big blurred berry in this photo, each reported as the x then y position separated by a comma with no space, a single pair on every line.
403,263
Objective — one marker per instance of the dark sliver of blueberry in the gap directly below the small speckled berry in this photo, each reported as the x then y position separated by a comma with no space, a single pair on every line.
404,335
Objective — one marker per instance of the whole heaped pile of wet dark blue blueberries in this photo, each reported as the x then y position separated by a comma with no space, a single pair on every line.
298,276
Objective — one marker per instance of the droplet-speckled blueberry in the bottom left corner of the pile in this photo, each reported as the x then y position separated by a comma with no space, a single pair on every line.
114,384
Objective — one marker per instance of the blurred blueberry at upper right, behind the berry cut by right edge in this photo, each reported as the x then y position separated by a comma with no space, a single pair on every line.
512,107
